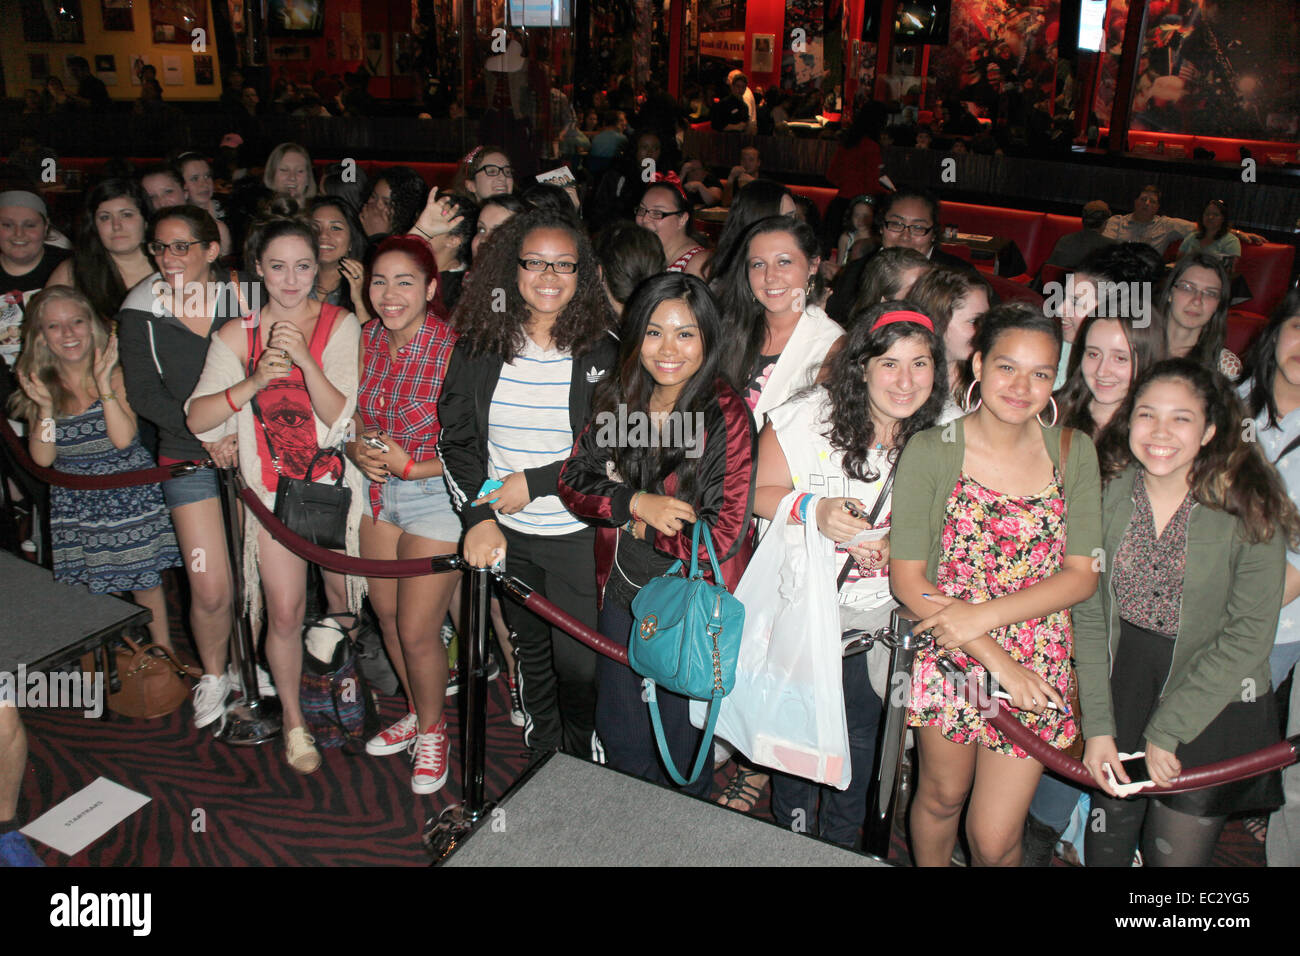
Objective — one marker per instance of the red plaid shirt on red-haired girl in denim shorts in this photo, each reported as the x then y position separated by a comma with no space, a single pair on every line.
401,396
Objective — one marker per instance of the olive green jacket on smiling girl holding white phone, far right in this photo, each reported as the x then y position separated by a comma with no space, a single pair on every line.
1228,624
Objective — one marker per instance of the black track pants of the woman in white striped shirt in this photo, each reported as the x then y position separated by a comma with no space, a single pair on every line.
557,674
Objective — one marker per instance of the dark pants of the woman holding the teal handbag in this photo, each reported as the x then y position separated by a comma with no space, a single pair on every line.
623,717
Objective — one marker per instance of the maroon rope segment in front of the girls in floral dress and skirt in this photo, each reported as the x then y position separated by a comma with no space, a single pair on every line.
1281,755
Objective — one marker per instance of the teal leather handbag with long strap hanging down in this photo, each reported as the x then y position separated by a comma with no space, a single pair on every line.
686,638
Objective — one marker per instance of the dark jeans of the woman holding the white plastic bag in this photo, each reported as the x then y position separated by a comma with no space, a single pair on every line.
821,811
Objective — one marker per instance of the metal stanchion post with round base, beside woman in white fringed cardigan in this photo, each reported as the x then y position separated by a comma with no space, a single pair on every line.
254,720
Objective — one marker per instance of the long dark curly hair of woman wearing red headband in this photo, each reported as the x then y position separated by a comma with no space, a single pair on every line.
852,430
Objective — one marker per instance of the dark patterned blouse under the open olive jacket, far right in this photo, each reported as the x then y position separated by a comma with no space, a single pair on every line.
1149,574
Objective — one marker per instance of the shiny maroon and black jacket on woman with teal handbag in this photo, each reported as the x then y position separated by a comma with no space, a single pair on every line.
726,499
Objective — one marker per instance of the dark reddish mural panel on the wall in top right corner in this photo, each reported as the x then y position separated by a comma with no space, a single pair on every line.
1220,70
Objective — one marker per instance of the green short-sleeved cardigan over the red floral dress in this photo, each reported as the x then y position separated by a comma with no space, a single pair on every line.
929,473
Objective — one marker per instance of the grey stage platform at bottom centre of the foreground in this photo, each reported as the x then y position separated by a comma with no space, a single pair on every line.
574,814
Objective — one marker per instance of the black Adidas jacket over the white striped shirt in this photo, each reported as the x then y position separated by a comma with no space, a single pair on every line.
463,409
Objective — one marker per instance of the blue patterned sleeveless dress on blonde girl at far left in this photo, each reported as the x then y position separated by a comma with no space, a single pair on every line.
118,539
